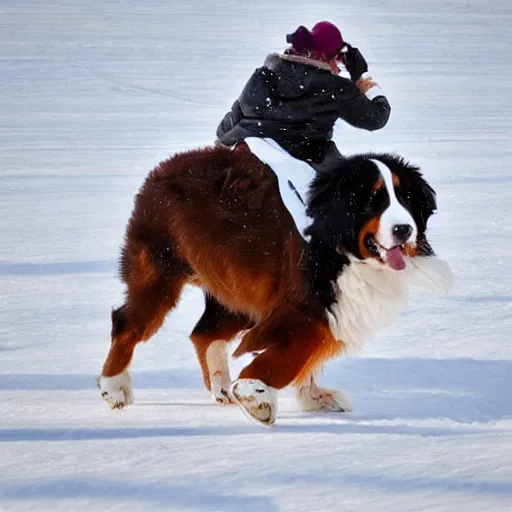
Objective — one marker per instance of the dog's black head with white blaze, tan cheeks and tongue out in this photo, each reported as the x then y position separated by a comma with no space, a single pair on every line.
374,207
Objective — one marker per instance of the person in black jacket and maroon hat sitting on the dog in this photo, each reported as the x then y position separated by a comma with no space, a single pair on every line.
296,97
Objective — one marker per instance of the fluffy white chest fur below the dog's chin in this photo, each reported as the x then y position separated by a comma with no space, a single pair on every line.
370,295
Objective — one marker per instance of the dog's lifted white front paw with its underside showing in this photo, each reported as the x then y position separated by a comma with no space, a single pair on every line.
257,400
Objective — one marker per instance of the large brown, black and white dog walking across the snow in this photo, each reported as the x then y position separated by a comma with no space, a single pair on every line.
214,218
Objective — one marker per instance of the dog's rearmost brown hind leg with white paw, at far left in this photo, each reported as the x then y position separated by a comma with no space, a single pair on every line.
152,291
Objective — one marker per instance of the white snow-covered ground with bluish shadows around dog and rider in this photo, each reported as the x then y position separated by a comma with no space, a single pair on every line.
93,94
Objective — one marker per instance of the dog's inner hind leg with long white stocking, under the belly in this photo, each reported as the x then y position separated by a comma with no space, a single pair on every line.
216,327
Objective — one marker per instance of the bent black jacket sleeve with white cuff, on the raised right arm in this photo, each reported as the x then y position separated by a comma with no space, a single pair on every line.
368,111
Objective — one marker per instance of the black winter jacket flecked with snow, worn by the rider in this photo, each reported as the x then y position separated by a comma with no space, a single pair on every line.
296,103
